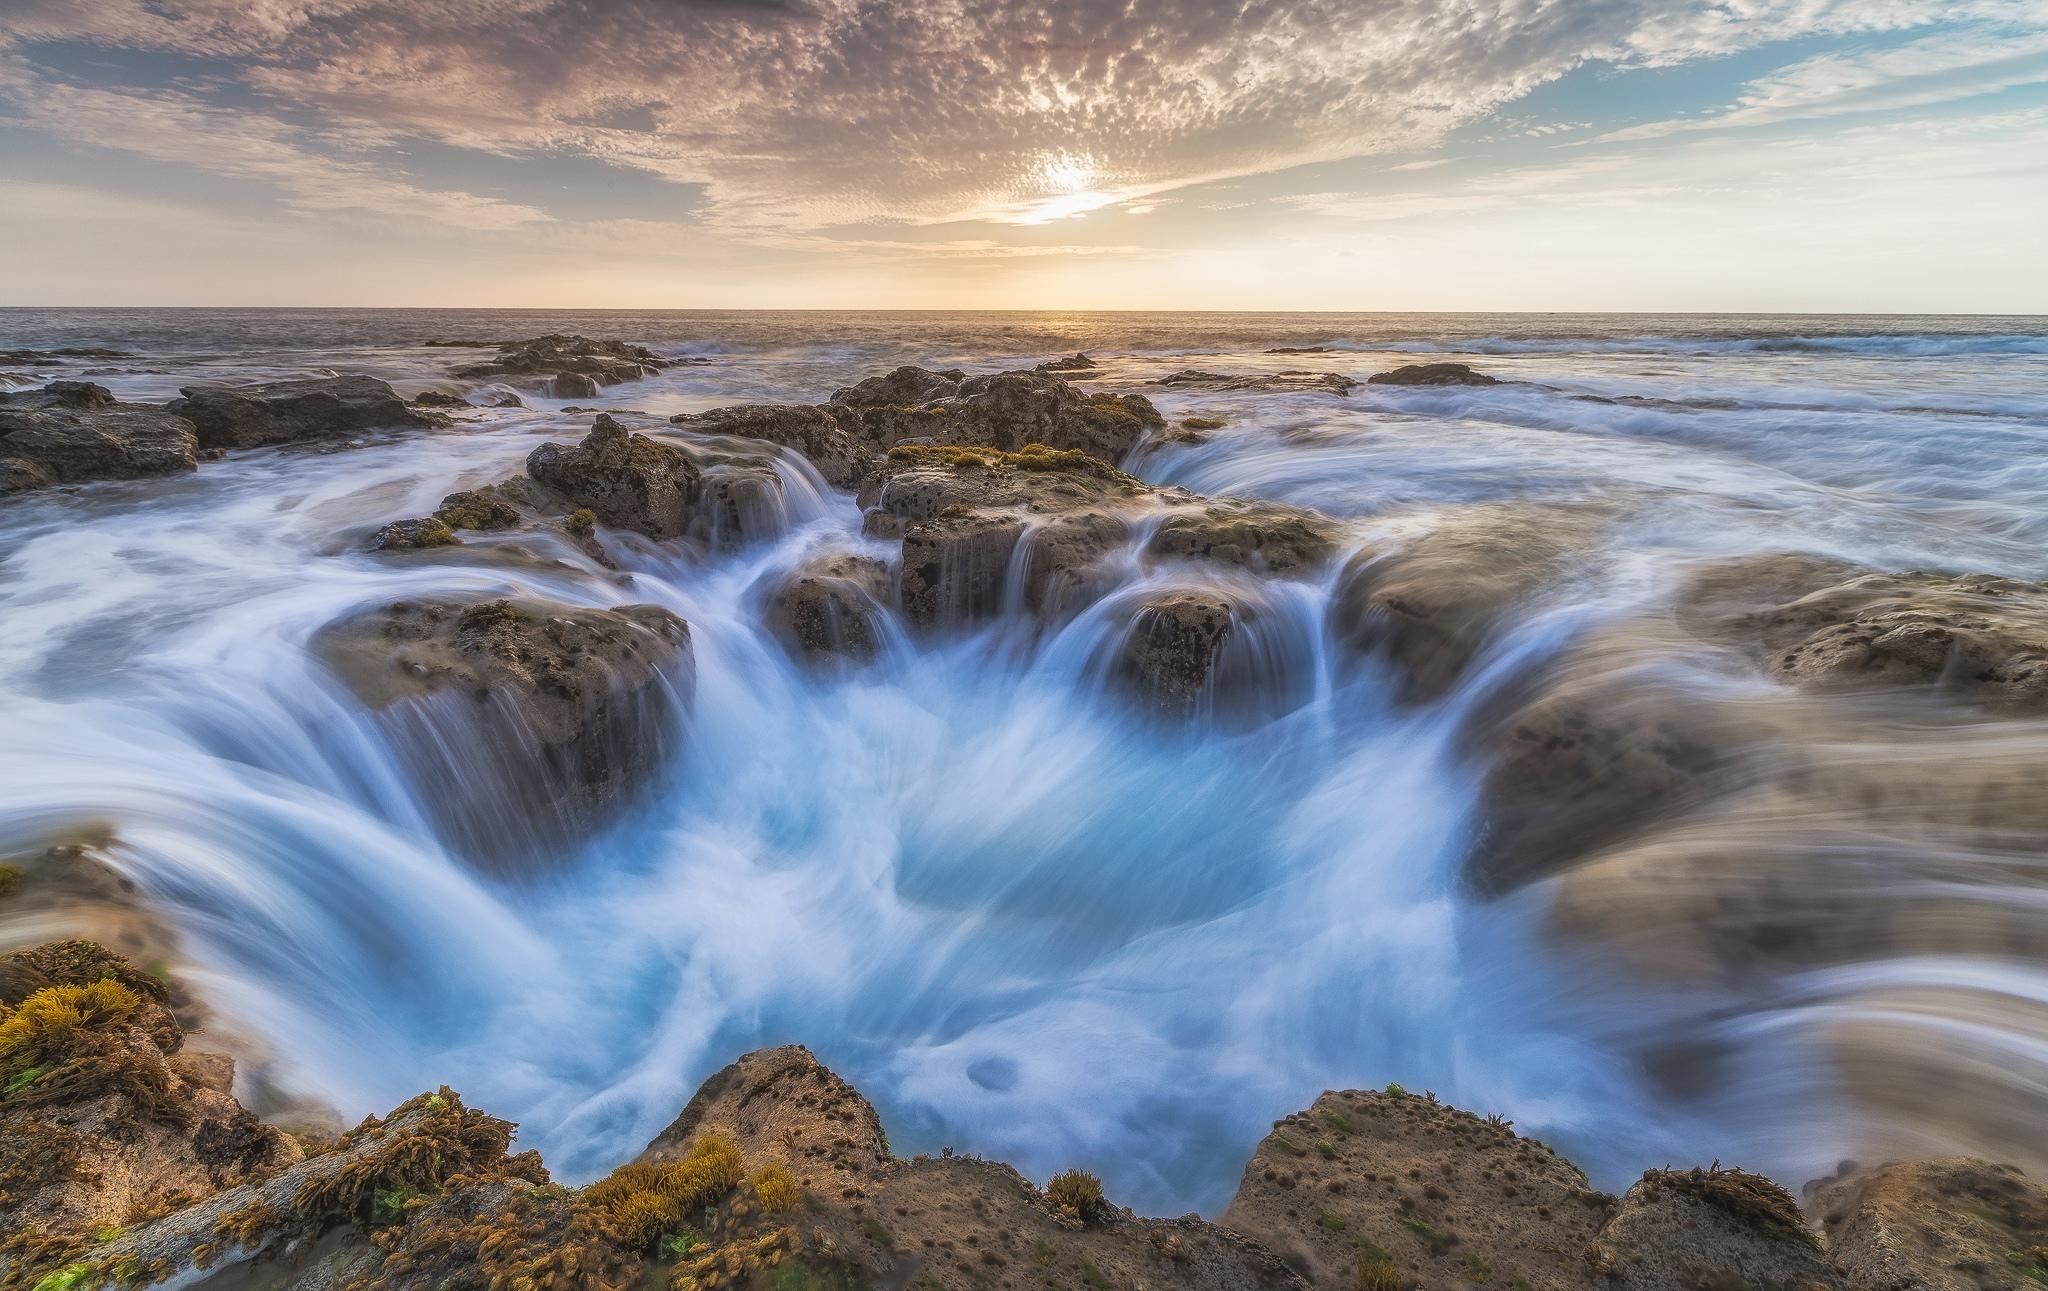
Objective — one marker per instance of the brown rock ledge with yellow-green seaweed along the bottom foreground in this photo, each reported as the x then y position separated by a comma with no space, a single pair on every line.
124,1169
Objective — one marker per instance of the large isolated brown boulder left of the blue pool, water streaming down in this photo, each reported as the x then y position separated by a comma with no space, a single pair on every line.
564,714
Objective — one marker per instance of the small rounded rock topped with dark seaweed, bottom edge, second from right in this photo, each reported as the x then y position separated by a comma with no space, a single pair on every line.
1709,1228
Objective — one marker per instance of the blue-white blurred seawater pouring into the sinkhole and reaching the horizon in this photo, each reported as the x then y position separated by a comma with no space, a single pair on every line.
1021,919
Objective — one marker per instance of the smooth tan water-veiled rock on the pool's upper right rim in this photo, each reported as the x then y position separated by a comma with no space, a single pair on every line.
1435,603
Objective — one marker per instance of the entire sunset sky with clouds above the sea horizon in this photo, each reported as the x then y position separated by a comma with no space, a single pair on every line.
1076,155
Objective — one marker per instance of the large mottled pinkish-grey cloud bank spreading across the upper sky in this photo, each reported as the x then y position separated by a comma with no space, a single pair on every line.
812,114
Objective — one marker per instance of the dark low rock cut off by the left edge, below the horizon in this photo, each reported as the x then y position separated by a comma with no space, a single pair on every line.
75,431
